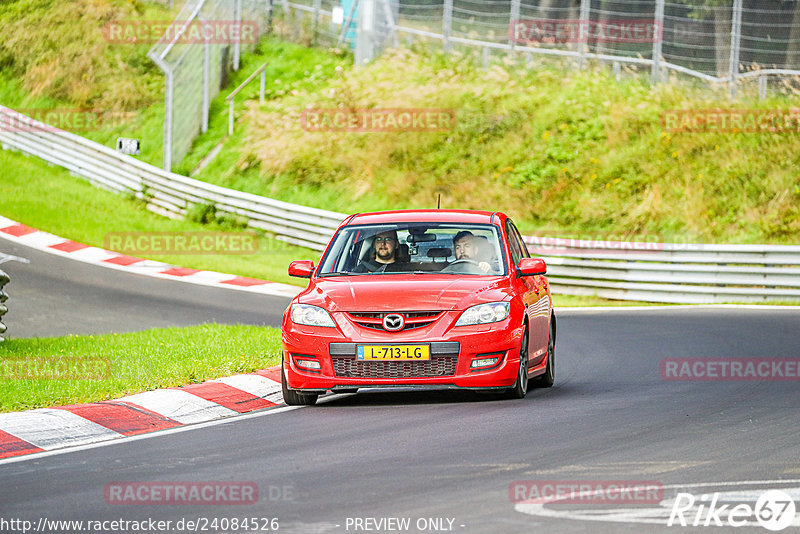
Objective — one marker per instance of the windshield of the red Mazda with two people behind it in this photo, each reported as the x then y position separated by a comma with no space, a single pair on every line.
423,248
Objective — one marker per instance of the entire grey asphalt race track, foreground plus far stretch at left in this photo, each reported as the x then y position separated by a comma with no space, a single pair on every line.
449,455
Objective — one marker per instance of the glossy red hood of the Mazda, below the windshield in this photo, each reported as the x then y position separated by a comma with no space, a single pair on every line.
387,293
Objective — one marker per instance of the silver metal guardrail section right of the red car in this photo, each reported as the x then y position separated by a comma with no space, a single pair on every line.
671,272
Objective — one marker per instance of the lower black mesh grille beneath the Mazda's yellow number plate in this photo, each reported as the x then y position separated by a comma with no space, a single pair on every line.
436,366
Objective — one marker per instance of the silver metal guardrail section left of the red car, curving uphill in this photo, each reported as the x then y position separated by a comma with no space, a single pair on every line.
165,192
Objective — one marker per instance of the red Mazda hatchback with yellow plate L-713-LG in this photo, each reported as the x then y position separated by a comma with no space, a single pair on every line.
421,299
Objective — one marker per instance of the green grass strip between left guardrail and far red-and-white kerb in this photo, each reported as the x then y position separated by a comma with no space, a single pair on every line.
48,198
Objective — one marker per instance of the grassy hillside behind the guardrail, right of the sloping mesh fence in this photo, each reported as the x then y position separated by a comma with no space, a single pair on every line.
563,151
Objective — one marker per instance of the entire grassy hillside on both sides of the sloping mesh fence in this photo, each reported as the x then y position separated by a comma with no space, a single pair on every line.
563,151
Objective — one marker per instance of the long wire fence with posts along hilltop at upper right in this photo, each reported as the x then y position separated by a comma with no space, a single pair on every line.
722,41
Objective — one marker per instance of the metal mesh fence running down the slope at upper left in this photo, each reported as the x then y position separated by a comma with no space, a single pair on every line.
196,53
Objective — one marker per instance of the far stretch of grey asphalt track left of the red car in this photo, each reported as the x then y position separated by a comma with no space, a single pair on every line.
56,296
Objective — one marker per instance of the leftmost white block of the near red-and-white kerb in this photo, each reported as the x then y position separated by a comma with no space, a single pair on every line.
53,429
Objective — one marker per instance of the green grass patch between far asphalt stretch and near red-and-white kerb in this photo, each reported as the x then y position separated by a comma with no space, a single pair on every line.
115,365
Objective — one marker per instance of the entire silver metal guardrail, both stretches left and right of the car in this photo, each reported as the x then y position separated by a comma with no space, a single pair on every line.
655,272
